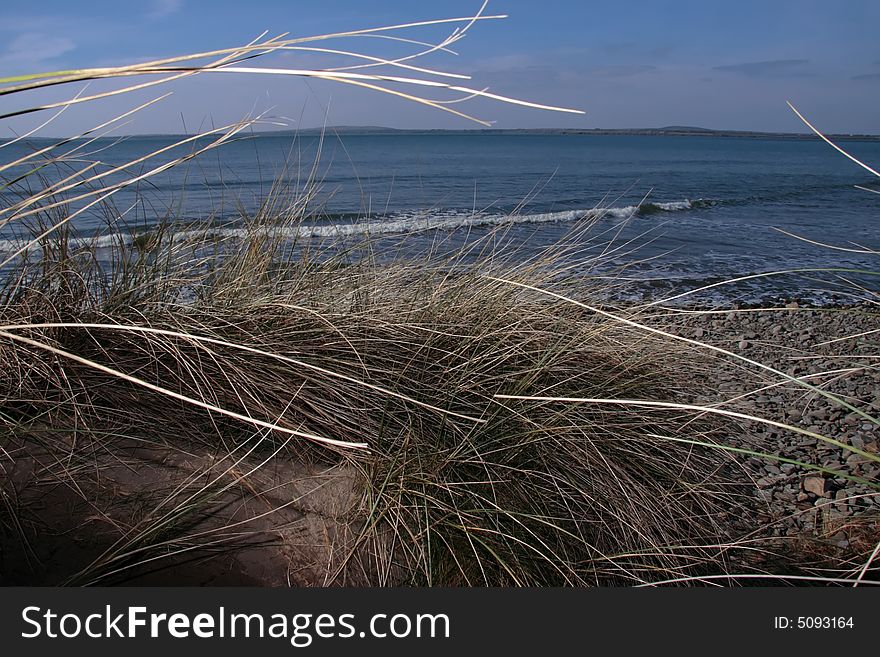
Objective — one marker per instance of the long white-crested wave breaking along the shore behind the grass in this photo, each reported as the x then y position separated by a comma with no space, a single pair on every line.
398,223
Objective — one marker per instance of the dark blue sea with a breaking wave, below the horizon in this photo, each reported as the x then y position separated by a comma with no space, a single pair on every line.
670,213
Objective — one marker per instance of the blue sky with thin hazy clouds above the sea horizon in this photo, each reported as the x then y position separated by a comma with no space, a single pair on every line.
727,65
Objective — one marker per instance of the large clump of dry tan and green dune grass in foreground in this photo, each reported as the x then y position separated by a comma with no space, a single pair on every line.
277,361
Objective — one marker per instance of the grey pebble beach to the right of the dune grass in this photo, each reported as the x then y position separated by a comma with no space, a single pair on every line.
809,487
